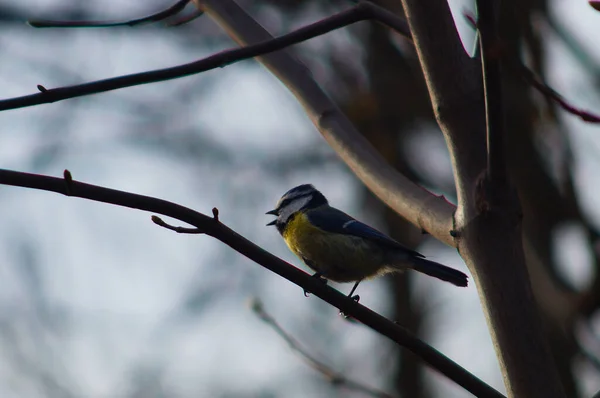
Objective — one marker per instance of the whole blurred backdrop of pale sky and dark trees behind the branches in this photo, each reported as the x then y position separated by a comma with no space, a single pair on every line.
97,302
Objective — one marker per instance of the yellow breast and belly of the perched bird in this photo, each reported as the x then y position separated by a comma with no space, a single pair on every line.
339,257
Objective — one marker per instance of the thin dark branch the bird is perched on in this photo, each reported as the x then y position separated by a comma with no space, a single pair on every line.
213,227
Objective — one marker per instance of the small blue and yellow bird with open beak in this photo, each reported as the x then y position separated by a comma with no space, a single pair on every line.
339,248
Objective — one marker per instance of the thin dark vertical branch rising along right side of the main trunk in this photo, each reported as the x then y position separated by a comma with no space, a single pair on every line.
492,91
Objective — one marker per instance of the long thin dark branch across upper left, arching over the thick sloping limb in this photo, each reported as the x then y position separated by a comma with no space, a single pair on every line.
361,12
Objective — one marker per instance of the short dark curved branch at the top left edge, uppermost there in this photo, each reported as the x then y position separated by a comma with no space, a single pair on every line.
159,16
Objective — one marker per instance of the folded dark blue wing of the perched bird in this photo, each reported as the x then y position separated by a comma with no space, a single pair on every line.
336,221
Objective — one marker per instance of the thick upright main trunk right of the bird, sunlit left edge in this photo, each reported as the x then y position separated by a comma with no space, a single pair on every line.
489,240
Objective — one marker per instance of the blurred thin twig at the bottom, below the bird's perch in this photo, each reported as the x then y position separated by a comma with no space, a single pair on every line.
335,378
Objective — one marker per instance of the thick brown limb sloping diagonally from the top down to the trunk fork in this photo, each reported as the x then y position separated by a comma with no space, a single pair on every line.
423,209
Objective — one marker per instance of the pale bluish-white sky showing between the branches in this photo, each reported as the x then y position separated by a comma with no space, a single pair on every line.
98,302
